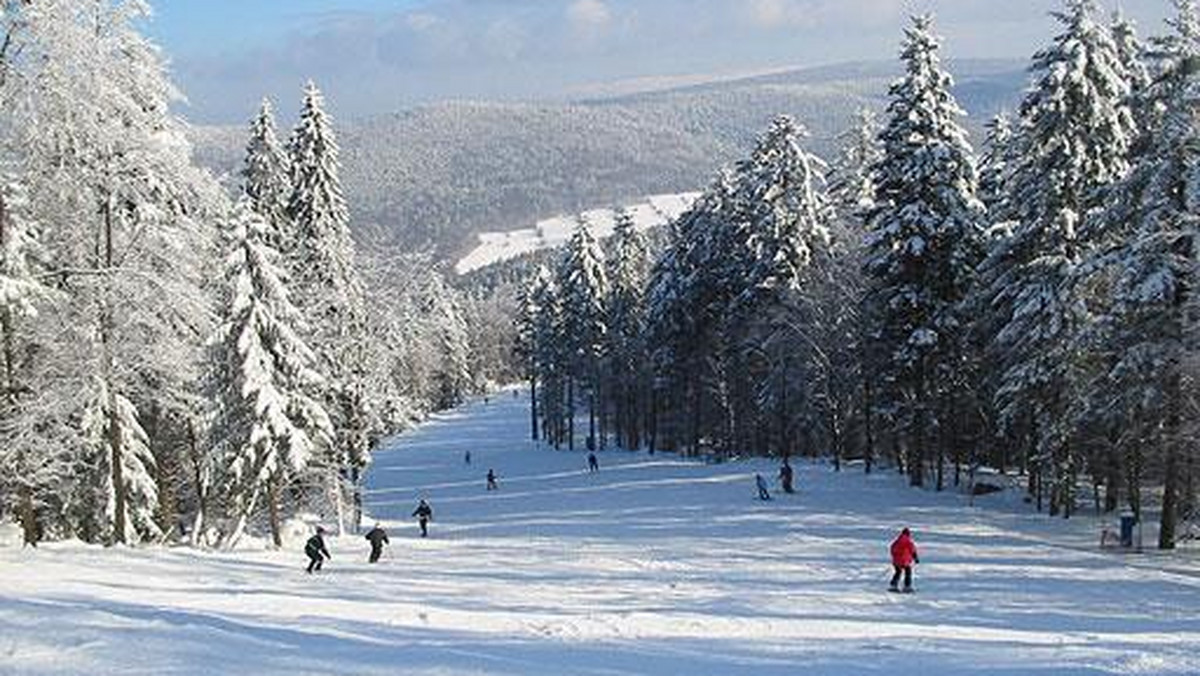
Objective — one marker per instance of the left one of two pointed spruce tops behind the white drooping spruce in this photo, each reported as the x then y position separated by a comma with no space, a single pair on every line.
268,177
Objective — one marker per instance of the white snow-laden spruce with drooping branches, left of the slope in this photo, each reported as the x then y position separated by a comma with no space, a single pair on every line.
267,426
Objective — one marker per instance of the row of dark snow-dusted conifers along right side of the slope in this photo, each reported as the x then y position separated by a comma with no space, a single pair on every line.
1033,312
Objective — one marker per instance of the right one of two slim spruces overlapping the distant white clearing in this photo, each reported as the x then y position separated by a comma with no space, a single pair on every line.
628,272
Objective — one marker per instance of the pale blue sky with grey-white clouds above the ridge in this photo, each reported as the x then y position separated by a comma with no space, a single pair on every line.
381,56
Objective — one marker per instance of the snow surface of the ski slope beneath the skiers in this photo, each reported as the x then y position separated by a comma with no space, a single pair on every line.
651,566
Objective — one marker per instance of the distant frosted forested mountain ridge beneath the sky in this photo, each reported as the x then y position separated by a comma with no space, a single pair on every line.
443,174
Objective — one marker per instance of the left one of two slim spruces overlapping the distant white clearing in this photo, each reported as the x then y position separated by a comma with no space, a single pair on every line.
584,294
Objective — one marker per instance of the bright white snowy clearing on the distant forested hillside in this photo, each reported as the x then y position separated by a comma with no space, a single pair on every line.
497,247
